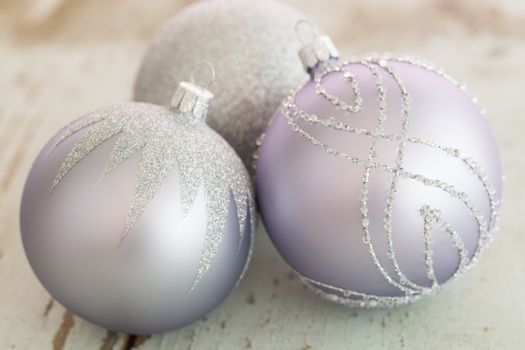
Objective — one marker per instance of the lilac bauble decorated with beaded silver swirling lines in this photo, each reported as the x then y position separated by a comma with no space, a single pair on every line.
379,180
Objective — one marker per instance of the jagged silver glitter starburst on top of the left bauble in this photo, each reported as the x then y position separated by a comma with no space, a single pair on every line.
166,138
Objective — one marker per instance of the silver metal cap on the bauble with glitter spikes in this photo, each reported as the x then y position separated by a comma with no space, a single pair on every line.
190,98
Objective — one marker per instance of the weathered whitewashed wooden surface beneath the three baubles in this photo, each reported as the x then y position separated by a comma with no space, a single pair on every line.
61,58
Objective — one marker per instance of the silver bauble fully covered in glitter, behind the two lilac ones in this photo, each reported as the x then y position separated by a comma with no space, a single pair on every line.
253,46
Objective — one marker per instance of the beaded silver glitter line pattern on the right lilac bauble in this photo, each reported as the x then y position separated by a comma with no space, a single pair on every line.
431,217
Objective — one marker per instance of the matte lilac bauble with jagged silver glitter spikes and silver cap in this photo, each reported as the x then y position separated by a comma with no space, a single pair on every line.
138,217
